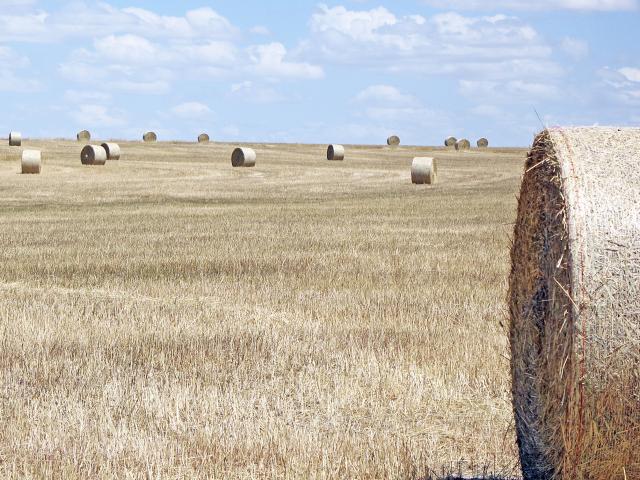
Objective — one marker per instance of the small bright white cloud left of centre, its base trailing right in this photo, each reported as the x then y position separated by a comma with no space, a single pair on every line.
269,60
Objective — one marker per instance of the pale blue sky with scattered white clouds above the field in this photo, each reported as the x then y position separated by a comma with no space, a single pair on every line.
351,72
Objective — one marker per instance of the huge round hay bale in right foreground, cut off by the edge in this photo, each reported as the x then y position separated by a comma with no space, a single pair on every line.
574,301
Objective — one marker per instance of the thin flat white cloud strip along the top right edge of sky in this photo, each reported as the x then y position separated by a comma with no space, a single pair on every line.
587,5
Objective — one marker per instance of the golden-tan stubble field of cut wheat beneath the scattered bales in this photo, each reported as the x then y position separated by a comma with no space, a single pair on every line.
167,316
